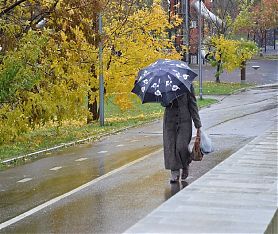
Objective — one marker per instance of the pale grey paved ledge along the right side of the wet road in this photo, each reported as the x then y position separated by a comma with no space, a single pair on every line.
237,196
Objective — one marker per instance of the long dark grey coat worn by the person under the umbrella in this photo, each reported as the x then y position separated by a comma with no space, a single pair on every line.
177,130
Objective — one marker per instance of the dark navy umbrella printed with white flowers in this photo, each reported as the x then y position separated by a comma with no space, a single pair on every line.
163,81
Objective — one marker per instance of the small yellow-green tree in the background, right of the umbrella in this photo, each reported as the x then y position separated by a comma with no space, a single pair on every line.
226,52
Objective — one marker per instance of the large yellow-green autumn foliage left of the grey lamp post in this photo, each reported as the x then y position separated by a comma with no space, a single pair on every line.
44,71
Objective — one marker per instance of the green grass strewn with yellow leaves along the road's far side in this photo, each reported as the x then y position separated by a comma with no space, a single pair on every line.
115,120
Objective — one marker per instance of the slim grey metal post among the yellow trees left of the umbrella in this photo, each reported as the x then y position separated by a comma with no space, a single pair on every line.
101,80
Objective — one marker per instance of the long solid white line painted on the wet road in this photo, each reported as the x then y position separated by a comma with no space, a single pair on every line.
56,199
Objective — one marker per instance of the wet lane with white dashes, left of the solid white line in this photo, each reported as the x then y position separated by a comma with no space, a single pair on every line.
34,183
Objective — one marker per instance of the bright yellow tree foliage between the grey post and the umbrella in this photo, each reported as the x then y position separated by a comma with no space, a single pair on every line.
141,40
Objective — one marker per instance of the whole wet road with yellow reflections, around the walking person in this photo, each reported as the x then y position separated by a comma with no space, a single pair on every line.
111,203
